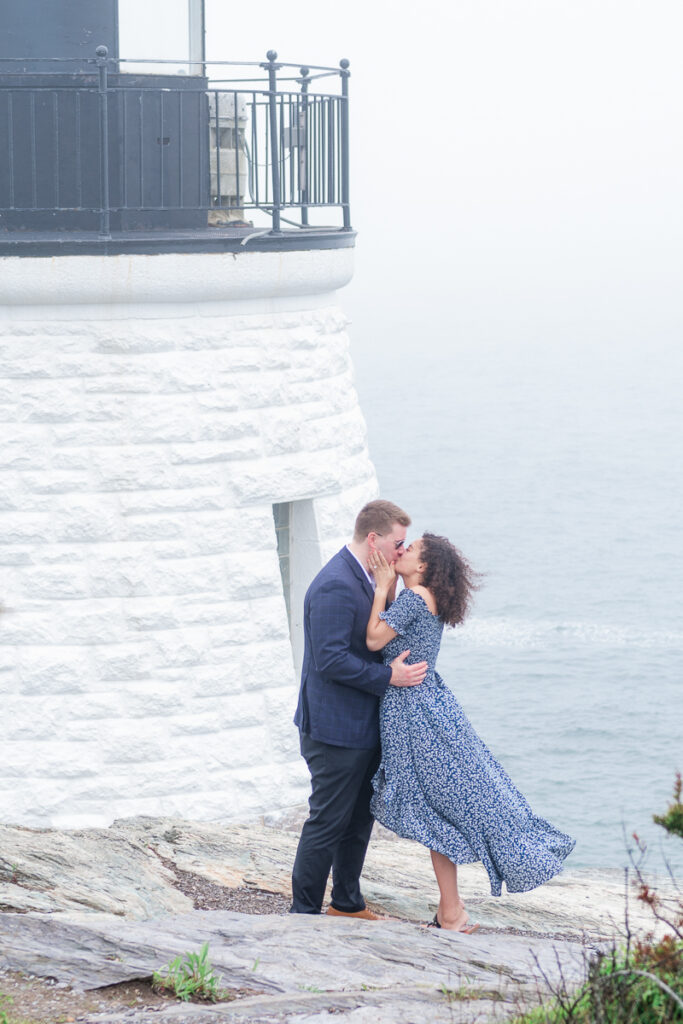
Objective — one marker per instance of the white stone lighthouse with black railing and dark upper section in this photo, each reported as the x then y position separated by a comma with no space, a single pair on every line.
182,444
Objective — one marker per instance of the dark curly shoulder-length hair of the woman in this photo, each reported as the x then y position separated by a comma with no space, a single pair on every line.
450,577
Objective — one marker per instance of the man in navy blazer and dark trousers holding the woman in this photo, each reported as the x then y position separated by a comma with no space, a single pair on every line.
338,715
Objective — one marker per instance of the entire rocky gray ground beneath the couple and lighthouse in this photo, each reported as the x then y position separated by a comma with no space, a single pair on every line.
88,916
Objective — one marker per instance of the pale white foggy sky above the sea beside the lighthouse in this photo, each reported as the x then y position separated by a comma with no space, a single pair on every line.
514,163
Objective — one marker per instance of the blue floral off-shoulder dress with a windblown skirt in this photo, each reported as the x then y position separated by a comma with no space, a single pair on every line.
439,784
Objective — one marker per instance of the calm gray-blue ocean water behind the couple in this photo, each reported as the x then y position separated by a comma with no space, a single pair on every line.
558,470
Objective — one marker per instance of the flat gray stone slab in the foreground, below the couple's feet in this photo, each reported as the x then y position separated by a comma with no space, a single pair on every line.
302,966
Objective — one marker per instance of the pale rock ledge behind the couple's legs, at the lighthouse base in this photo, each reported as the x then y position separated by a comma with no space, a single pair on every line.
127,870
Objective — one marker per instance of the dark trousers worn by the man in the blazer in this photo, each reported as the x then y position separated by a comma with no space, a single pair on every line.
337,832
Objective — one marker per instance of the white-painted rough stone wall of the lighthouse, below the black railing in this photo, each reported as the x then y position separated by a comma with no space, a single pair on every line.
153,410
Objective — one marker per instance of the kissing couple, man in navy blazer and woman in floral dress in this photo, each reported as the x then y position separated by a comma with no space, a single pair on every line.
386,740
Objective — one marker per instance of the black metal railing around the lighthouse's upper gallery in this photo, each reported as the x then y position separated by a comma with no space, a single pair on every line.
106,150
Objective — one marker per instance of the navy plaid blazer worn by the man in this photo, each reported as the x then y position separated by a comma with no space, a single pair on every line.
341,680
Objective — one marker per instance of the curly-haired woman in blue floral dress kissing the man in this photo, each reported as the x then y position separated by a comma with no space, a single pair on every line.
439,784
